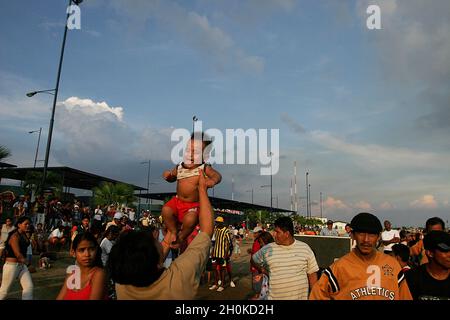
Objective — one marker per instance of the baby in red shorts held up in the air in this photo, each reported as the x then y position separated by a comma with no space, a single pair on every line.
182,208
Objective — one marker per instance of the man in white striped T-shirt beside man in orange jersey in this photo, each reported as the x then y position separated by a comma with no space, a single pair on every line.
291,264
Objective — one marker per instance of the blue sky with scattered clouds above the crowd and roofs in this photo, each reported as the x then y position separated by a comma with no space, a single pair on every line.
365,111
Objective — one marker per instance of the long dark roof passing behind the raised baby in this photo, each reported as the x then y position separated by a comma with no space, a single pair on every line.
217,202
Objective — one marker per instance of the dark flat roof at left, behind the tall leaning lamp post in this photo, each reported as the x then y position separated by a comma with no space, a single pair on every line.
72,178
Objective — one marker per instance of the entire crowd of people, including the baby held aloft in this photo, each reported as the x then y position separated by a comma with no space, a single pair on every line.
119,255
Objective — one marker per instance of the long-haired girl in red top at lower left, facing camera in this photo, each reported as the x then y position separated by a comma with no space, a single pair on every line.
88,281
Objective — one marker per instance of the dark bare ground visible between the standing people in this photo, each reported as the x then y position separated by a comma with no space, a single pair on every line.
47,283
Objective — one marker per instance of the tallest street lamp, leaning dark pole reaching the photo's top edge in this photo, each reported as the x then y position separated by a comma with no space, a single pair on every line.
52,119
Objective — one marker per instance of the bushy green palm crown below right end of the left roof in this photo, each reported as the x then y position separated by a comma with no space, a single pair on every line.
118,194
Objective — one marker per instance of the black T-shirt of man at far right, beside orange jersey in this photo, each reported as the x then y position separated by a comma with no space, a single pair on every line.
424,287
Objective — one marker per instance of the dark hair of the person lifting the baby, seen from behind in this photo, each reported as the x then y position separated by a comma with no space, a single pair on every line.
134,259
